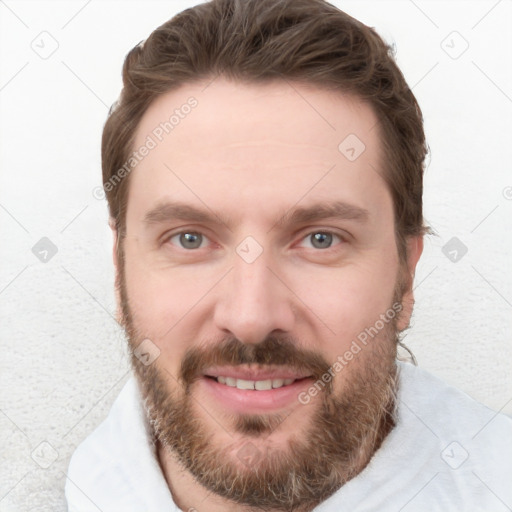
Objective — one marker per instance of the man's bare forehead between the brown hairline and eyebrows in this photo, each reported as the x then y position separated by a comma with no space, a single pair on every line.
235,145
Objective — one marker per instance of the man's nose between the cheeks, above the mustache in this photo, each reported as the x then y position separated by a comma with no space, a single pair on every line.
253,302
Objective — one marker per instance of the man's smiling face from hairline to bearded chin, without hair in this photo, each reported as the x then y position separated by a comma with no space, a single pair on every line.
260,252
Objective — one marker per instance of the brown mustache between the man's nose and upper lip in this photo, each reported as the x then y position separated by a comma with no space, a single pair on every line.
273,350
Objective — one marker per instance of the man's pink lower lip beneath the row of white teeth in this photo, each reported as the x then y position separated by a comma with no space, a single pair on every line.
249,400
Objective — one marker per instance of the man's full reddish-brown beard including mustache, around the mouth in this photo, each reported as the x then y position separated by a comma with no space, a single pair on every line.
344,428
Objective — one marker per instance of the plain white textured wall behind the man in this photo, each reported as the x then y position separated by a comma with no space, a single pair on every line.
63,358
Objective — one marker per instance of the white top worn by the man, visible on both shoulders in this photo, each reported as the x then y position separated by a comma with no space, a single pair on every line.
446,453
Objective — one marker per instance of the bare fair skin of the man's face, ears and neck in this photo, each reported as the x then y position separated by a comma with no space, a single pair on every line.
250,155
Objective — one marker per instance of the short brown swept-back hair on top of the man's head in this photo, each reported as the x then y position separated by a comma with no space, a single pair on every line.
307,41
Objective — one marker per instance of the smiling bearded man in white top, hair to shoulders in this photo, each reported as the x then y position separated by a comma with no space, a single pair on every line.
263,169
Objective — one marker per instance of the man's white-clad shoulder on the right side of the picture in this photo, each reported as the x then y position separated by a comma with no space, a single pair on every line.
446,452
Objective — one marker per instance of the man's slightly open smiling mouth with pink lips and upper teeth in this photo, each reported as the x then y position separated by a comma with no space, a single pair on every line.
246,390
